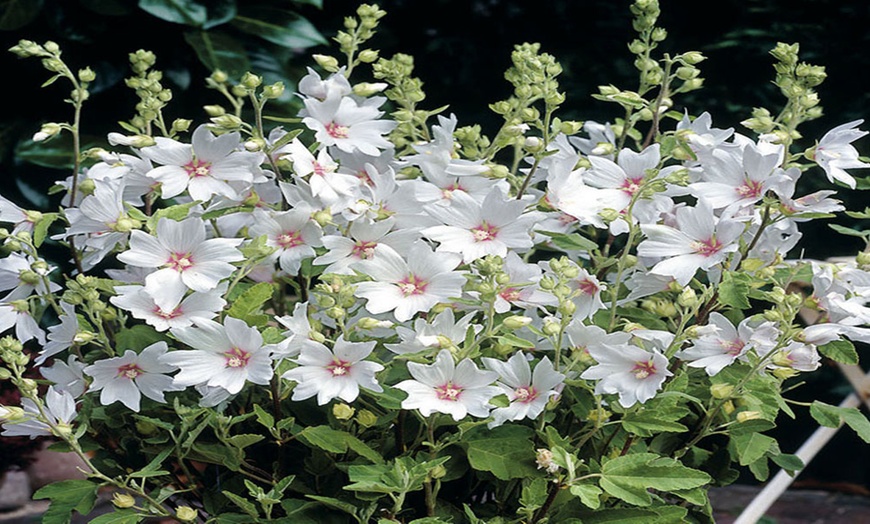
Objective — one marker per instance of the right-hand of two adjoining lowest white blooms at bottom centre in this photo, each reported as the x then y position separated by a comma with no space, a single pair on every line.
528,391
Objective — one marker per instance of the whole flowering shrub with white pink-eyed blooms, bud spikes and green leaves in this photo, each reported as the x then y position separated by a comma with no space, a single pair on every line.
366,312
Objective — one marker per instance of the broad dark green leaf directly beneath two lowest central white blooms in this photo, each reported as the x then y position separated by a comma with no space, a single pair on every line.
505,451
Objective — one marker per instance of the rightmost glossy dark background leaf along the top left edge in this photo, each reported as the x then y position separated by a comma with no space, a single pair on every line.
279,26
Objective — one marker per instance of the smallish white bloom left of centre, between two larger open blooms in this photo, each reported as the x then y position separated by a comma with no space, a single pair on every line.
292,233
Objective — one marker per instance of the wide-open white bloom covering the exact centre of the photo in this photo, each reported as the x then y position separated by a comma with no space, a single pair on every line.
407,287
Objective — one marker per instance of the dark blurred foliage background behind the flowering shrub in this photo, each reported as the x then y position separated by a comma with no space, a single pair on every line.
461,49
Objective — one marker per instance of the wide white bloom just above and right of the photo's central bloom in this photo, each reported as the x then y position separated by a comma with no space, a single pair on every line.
477,229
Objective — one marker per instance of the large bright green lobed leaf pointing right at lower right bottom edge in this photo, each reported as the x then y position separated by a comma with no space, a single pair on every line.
630,476
